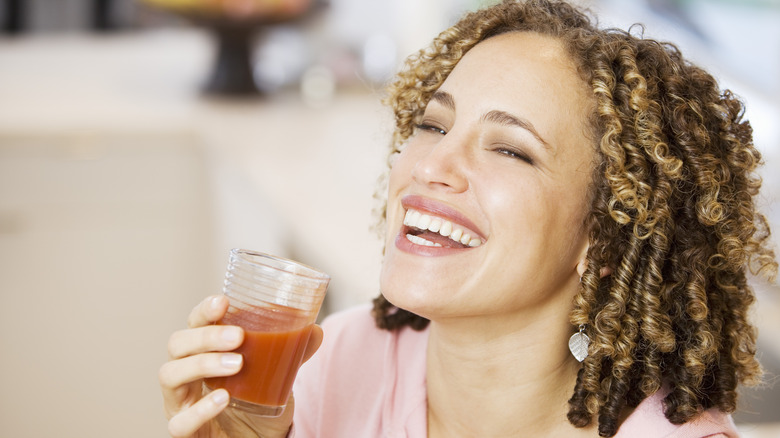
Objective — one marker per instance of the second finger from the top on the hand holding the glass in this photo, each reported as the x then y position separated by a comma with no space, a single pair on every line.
204,339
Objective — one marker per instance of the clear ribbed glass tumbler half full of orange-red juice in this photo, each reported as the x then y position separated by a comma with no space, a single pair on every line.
276,301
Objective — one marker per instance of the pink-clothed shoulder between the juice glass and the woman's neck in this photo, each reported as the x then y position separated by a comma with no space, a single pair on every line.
363,381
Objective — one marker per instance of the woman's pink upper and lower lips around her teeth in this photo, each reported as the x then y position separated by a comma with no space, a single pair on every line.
436,208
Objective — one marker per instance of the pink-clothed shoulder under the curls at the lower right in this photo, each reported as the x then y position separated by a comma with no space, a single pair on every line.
648,420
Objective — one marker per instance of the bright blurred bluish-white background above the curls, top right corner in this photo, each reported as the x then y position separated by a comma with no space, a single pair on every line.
736,40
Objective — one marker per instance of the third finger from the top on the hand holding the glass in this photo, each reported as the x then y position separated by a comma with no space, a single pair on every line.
177,373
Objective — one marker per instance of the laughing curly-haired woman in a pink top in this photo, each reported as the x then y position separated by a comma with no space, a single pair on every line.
549,180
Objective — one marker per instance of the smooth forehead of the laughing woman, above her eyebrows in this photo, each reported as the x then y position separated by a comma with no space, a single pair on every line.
525,74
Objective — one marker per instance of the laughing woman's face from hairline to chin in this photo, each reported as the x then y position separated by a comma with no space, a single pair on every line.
503,156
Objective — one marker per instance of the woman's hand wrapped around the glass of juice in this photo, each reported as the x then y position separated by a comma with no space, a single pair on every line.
203,350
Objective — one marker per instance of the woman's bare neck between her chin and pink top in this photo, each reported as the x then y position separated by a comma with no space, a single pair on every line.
489,377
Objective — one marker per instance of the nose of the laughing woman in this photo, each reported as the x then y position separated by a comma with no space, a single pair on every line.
443,166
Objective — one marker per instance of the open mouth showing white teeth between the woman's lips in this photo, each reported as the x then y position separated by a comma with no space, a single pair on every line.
428,230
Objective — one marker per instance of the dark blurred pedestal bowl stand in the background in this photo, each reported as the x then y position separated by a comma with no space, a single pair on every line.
235,25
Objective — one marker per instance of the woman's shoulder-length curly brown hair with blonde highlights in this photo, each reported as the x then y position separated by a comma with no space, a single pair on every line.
672,214
